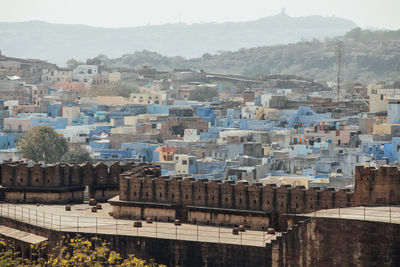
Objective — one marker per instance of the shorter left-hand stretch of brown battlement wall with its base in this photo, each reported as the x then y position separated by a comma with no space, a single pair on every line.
61,183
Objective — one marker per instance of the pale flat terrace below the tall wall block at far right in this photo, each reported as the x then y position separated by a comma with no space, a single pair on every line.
387,214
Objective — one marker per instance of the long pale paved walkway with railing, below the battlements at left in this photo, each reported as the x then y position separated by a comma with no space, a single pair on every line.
81,219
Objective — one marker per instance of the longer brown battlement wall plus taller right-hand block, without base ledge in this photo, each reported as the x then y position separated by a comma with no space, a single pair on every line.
372,186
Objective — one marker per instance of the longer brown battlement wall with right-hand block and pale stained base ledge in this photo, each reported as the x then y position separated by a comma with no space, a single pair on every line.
145,193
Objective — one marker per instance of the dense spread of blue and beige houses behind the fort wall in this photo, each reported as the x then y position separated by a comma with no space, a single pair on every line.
275,129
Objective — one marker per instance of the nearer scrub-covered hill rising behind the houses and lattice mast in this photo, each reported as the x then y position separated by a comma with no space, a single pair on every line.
369,56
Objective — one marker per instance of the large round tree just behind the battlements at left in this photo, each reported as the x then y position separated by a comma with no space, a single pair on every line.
42,143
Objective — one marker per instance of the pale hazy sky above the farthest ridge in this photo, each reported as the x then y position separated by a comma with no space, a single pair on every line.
124,13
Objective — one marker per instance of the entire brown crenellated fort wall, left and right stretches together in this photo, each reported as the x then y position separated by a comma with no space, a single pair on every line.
144,183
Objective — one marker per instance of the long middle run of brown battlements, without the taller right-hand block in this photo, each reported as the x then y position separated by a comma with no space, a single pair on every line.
145,184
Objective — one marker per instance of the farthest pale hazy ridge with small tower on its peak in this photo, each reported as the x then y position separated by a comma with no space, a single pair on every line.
58,42
